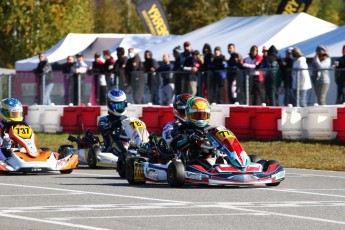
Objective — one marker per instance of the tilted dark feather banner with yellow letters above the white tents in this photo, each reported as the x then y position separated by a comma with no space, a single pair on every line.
153,17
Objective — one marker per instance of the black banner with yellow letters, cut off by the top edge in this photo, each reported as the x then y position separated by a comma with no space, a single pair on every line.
293,6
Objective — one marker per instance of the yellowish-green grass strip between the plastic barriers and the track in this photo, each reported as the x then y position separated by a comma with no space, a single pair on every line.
329,155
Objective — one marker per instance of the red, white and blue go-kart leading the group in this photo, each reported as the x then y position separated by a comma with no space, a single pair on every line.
230,165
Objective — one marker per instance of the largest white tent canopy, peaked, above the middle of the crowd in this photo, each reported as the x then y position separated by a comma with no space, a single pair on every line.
278,30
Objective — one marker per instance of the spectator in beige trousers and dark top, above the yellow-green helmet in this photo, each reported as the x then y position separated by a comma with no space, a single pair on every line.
192,66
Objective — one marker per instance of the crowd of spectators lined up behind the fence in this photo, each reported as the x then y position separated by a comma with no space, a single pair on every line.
259,77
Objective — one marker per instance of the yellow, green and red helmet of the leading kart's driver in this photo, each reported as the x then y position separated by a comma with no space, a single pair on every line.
198,112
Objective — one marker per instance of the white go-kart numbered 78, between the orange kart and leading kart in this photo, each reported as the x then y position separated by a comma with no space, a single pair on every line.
91,150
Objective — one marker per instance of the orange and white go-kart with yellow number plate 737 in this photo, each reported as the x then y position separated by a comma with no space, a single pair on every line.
24,156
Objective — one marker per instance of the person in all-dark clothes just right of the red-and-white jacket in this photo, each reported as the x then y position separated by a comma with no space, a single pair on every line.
269,65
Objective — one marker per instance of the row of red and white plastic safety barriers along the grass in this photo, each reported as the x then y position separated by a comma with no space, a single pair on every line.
259,122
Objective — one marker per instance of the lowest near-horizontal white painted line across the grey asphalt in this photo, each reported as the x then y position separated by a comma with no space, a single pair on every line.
154,216
